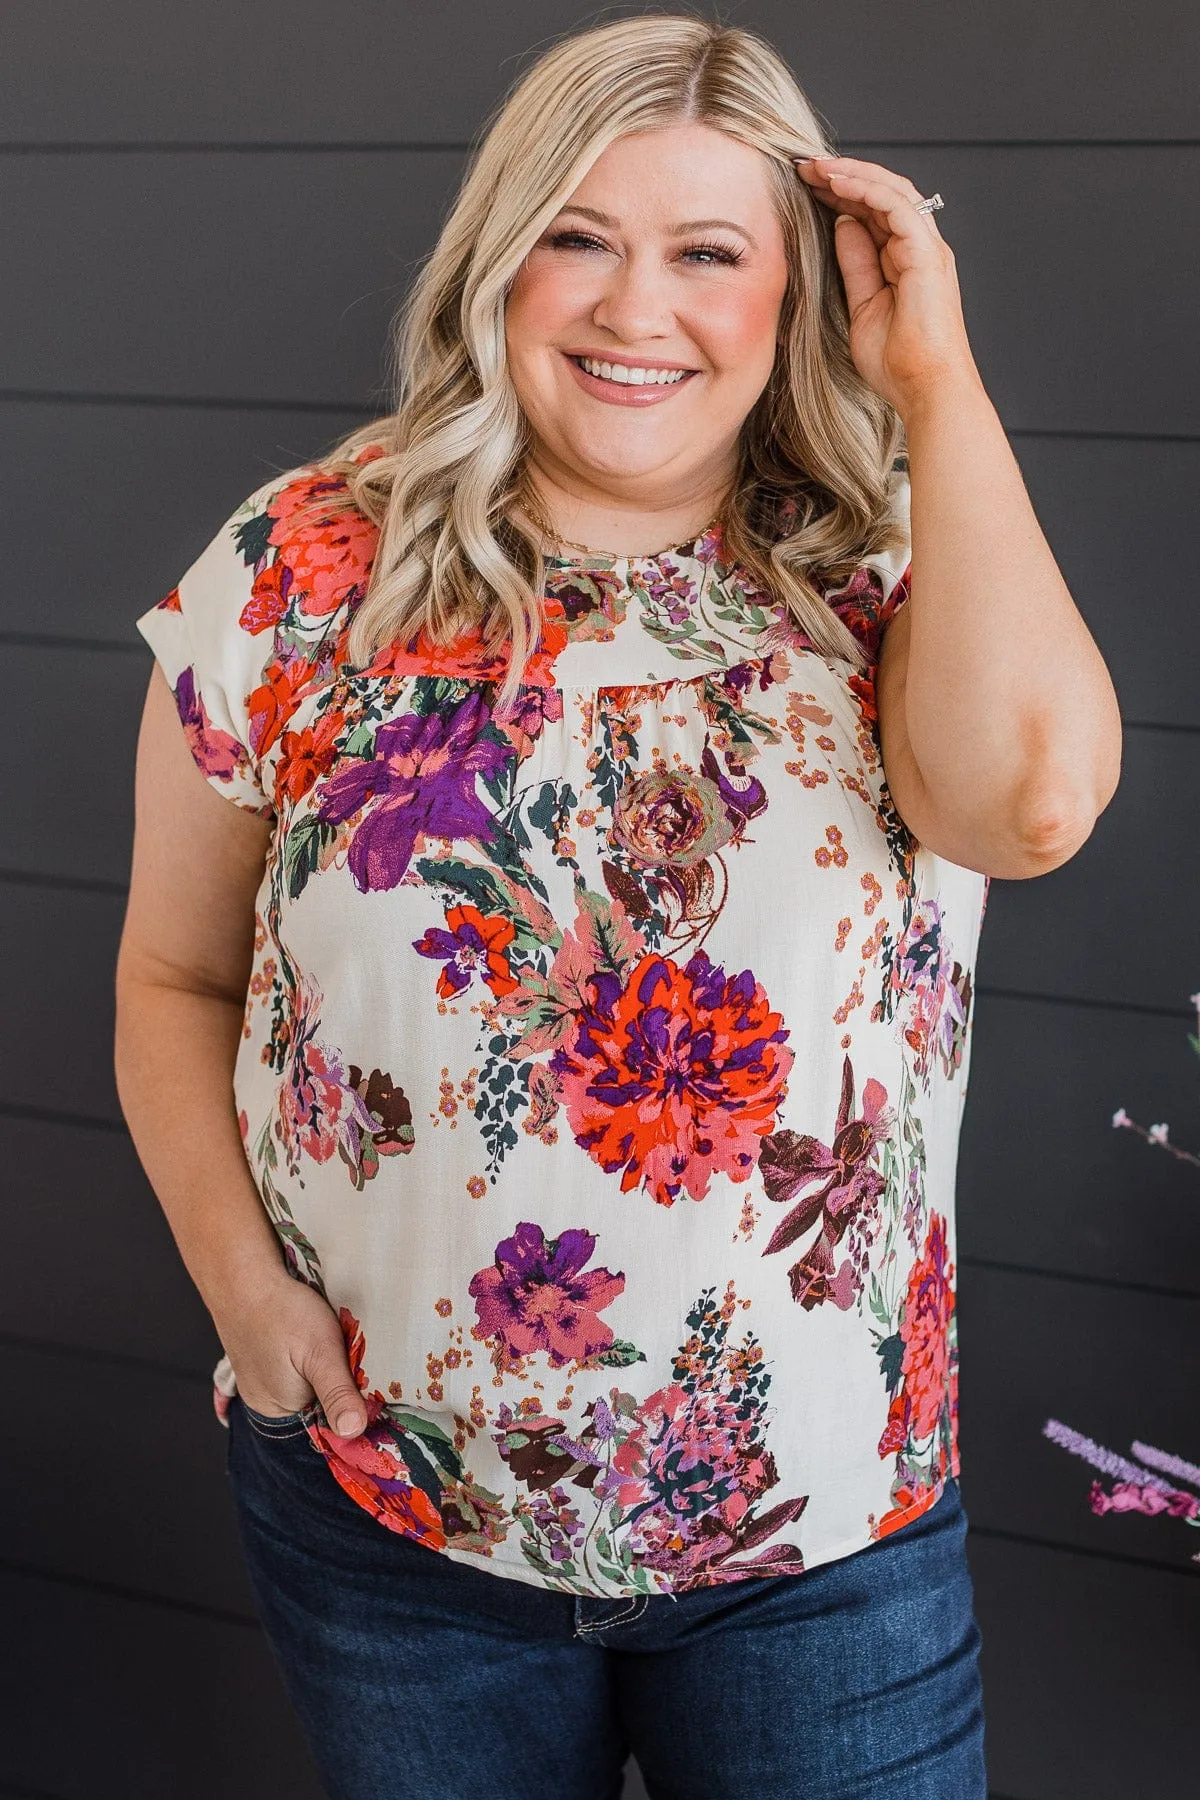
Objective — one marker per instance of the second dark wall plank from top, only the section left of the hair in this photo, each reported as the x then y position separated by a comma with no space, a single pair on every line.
251,278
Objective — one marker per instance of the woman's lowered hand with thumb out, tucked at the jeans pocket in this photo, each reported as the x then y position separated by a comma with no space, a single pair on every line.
287,1349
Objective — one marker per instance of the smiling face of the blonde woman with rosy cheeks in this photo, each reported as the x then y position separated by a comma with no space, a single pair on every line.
668,256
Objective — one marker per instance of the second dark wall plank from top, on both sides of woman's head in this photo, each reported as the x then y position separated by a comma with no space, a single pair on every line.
206,276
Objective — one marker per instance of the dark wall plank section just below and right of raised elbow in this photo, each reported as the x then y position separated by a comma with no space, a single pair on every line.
1118,922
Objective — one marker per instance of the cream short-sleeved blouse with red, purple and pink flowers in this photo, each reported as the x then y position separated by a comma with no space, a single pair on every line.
604,1059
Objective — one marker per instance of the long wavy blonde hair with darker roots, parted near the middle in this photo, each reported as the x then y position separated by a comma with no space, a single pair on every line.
454,453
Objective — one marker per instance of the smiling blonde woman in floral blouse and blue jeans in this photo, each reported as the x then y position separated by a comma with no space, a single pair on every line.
591,948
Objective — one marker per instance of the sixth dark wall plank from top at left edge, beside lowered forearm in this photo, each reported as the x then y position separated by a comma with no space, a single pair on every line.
89,1259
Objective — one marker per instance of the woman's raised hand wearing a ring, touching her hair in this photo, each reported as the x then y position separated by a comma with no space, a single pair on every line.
906,316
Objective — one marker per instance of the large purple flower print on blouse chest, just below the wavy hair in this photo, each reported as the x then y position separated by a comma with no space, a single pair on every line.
422,782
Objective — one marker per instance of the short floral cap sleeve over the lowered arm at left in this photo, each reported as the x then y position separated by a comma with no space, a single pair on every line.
210,642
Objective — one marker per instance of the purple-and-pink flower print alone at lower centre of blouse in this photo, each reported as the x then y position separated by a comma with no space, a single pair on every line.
537,1300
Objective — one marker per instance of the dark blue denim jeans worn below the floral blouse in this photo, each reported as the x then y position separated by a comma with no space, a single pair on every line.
424,1678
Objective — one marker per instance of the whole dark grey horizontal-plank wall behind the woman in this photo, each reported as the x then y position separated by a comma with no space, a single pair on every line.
208,215
